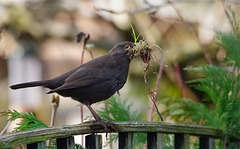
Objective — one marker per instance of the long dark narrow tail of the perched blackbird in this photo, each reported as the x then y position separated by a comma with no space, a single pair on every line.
28,84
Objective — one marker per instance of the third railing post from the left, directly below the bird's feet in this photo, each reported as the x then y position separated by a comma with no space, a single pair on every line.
93,141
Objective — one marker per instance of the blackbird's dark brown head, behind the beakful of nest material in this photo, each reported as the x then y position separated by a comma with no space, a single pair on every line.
122,49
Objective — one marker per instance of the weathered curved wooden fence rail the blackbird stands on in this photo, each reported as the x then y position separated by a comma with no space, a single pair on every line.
125,130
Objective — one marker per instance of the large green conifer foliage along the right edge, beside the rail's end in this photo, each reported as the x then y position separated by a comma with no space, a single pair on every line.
221,88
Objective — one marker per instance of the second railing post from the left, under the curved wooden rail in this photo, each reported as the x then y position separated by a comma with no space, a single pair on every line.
65,143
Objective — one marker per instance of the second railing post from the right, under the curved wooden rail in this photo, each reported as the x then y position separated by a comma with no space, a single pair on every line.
181,141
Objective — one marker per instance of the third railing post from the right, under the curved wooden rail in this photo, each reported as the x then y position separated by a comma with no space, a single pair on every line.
154,140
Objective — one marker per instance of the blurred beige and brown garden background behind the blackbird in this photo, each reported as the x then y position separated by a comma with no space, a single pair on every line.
38,41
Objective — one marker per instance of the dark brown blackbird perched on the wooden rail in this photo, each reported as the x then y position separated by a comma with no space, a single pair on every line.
94,81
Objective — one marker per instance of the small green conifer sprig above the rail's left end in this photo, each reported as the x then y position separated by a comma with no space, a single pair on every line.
28,122
